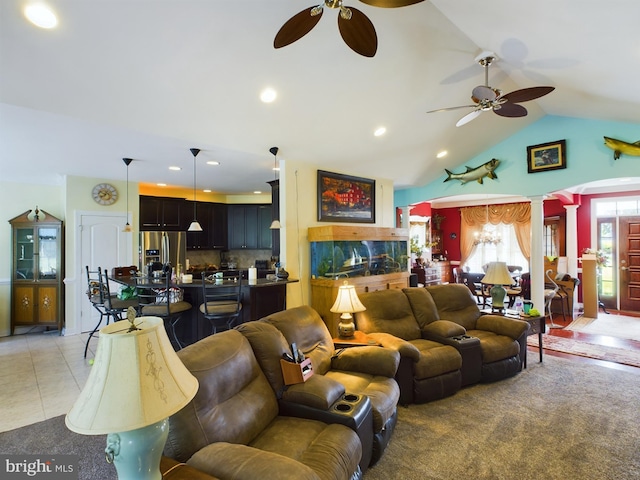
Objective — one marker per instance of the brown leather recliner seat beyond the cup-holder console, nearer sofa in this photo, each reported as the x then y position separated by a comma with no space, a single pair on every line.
366,370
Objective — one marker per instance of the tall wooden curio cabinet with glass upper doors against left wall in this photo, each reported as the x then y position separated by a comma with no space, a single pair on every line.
37,271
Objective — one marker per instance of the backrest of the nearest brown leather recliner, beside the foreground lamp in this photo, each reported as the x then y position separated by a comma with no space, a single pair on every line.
234,402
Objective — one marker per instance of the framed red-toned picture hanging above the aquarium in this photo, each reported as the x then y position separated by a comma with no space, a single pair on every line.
342,198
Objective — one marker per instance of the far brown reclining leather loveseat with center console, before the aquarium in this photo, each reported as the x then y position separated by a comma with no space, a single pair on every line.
445,342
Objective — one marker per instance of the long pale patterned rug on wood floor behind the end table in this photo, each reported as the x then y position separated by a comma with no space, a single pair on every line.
586,349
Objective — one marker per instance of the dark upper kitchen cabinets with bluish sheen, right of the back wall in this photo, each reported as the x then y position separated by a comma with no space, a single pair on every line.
249,226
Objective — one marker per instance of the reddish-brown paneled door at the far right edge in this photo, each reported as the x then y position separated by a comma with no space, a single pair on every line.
629,242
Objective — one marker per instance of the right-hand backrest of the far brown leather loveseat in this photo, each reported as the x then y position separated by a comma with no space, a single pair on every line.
455,303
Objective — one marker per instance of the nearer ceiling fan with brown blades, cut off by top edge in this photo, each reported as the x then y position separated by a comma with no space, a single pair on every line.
355,27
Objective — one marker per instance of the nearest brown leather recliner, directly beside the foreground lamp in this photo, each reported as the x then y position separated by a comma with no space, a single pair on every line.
232,428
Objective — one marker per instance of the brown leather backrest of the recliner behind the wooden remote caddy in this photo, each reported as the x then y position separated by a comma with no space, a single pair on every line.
304,327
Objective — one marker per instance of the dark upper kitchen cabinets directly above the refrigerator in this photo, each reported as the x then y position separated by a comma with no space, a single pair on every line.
164,213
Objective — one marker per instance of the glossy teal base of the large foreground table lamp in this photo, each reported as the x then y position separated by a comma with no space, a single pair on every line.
136,454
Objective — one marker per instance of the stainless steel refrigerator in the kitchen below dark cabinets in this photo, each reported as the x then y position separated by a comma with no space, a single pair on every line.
163,248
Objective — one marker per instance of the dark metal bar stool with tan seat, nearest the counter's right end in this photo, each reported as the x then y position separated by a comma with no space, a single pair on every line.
222,304
